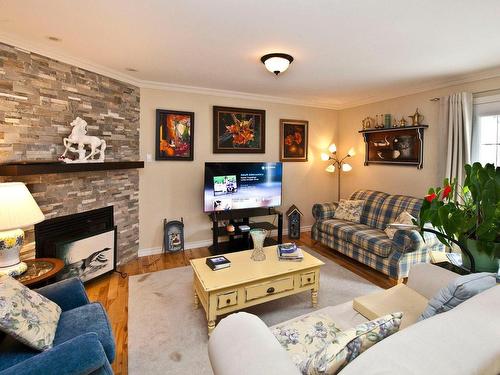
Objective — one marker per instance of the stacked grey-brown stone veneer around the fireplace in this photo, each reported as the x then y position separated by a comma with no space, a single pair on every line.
39,97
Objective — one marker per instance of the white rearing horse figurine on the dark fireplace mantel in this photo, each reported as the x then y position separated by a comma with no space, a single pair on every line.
79,137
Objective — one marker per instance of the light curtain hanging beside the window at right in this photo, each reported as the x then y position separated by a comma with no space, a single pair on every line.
456,115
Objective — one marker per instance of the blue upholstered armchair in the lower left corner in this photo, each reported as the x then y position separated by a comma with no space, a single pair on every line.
83,343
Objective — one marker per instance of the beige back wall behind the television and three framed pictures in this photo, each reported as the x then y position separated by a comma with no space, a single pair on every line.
171,189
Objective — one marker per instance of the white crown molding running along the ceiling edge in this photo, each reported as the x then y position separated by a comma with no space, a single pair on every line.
44,50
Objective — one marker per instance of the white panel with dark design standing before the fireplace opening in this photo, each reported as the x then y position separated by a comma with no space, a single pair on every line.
87,257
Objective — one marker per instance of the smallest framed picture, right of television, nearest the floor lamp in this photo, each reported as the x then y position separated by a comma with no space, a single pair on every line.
293,140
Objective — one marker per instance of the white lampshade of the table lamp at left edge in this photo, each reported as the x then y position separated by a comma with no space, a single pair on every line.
18,209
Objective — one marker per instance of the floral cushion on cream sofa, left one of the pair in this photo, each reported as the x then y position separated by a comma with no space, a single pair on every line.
303,337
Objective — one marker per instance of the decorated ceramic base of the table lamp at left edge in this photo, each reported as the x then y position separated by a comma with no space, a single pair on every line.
10,245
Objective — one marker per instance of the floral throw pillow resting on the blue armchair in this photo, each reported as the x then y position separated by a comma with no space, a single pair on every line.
26,315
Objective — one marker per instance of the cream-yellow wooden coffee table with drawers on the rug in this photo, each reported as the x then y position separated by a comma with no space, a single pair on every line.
248,283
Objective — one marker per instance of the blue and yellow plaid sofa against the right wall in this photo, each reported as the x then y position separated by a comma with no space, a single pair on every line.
367,242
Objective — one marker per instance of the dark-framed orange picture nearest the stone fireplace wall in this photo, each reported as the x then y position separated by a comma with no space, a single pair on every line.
174,135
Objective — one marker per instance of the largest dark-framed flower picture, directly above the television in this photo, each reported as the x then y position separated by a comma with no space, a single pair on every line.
239,130
